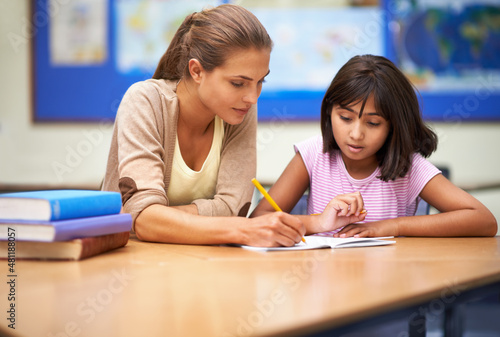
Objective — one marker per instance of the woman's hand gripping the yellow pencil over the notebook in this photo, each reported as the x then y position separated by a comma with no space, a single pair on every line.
272,230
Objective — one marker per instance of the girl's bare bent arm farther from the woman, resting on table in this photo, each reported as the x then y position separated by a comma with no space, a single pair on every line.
461,215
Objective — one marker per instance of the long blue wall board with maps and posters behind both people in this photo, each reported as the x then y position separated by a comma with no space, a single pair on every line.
89,52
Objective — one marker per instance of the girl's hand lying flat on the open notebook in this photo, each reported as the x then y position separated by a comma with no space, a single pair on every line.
372,229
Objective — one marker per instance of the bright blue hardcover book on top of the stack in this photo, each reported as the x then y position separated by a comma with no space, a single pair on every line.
53,205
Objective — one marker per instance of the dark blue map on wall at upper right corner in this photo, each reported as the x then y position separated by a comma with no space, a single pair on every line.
461,43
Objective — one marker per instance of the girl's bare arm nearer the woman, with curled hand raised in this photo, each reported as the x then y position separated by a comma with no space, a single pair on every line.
290,187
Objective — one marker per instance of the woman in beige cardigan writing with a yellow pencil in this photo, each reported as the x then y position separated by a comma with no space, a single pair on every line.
183,147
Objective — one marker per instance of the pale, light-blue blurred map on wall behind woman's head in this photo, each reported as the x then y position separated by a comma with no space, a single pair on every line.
310,43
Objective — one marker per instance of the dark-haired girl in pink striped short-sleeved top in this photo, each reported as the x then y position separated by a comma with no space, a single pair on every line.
368,171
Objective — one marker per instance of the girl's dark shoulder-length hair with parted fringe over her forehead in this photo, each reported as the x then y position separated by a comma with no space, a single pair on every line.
395,100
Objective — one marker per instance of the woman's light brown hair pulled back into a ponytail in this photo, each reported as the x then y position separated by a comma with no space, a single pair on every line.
210,36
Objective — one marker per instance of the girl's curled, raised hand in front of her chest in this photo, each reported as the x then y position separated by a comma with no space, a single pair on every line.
342,210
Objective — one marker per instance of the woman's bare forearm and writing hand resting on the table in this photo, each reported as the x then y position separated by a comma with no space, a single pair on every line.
159,223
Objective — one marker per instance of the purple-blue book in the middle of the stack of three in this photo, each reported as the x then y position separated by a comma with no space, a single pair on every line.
63,230
